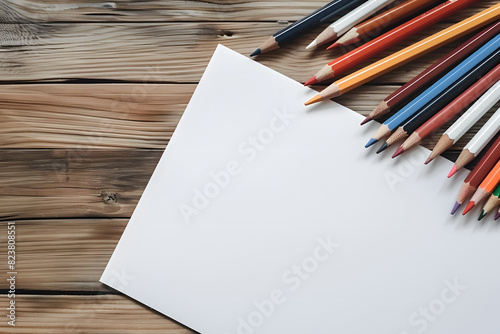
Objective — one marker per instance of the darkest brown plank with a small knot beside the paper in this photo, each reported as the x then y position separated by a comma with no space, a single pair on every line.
73,182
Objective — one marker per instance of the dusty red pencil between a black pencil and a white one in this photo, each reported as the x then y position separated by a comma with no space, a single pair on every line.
451,110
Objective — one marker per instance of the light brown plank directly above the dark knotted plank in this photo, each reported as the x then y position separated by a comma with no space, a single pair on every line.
112,116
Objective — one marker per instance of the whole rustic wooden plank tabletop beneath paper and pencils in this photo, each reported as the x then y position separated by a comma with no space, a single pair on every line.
90,94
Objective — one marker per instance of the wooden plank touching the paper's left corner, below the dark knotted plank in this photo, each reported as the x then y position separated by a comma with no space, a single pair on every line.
64,254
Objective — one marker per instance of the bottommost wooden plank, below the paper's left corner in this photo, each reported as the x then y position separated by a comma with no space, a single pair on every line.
99,314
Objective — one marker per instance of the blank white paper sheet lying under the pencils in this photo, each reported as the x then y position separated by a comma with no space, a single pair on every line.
298,228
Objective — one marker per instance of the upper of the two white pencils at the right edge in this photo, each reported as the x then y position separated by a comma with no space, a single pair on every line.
467,120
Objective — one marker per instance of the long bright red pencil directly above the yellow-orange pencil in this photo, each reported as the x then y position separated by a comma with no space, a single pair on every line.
381,43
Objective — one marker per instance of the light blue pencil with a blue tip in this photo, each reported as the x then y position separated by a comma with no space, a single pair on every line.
435,89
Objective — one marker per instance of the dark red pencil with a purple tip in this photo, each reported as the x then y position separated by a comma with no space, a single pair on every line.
477,174
